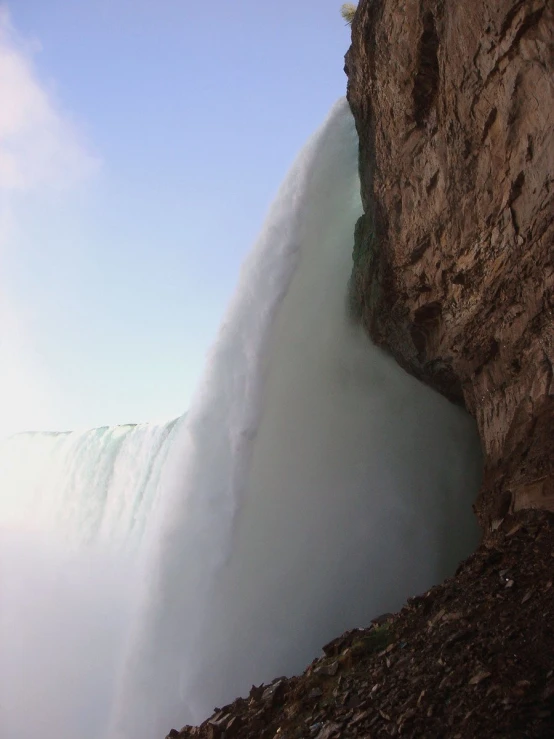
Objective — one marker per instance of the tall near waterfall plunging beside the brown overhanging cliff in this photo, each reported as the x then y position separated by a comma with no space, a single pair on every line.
318,484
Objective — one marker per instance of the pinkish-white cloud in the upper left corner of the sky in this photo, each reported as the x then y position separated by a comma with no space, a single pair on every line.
39,144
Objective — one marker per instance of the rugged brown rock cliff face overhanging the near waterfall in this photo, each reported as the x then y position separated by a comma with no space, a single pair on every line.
454,259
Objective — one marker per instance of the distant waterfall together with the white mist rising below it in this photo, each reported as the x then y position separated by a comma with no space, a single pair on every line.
73,510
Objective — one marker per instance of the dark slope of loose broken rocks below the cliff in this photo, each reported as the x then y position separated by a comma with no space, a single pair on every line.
473,657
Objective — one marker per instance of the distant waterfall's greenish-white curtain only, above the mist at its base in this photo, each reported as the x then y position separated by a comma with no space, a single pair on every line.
94,484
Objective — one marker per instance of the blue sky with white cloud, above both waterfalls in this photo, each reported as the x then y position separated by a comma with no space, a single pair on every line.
141,144
